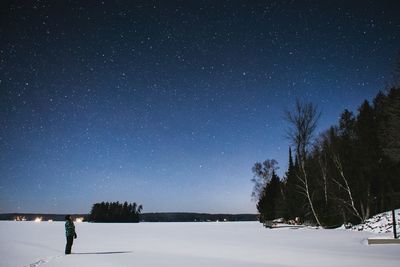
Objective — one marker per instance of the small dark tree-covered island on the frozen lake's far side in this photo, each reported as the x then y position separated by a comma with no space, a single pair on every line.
115,212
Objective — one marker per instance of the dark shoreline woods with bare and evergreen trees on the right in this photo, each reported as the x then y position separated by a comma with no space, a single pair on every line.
344,175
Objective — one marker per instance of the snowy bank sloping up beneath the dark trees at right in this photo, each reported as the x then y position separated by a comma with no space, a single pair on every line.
380,223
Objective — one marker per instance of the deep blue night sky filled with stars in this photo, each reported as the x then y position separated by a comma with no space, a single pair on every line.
170,104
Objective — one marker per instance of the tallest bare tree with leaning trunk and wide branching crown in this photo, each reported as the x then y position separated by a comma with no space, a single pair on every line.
302,125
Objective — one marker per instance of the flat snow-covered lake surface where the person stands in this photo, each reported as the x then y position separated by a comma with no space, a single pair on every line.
188,244
